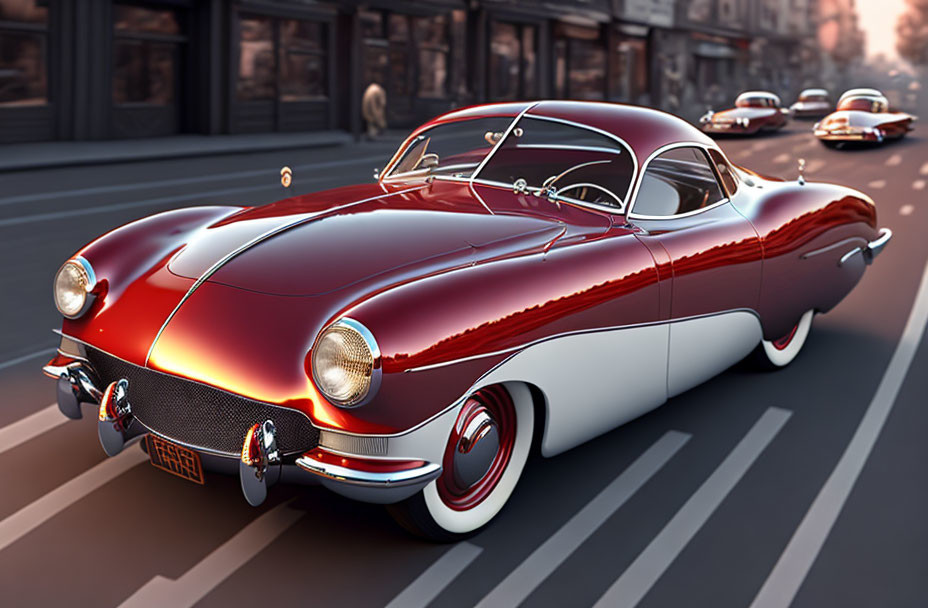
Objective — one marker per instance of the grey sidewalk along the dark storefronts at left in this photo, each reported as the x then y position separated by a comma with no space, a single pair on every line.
41,155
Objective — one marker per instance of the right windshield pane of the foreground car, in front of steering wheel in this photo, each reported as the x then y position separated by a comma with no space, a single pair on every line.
582,164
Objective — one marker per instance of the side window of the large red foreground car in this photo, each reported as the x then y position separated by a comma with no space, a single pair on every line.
678,181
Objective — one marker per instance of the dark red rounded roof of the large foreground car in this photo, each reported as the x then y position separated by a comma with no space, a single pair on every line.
645,130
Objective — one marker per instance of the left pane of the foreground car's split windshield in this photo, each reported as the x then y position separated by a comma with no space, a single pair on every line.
453,149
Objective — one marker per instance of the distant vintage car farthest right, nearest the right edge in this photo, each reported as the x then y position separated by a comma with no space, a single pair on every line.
863,115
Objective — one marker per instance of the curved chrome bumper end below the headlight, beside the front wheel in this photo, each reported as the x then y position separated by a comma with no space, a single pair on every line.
369,486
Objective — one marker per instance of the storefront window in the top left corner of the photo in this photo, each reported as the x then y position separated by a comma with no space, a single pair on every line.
23,53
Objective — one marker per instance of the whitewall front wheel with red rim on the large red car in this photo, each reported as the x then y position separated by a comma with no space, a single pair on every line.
484,457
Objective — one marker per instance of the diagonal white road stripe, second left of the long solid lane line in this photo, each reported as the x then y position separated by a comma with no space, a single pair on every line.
522,581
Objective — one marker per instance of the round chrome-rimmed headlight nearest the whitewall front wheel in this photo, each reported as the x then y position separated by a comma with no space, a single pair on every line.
346,363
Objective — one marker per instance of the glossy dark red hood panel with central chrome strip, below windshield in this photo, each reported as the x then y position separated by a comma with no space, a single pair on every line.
326,241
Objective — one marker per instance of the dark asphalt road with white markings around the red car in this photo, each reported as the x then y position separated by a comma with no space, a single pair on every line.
752,488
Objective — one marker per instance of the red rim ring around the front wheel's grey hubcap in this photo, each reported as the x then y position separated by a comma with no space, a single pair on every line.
497,402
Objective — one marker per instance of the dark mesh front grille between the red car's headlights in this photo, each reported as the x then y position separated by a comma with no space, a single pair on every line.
198,415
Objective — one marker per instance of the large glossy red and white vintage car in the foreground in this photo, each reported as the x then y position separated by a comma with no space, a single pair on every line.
520,276
